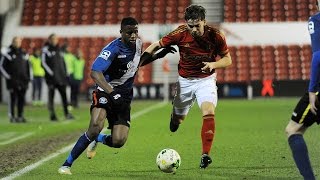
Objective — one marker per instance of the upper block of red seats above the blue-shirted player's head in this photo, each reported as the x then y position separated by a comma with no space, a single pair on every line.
77,12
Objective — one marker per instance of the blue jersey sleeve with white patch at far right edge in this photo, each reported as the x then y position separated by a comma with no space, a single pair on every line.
314,31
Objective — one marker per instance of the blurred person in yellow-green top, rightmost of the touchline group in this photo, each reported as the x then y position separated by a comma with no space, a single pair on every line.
76,77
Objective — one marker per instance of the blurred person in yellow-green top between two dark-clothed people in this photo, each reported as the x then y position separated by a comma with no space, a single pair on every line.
38,75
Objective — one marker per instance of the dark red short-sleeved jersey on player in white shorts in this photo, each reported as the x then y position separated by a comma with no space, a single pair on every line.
194,51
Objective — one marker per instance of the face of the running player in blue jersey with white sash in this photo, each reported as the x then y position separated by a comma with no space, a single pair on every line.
129,34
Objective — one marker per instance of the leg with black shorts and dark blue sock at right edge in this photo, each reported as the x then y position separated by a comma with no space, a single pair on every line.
301,119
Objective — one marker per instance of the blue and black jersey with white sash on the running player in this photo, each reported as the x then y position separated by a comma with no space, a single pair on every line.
118,63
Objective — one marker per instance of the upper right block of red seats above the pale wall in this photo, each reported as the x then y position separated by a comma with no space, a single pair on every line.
267,10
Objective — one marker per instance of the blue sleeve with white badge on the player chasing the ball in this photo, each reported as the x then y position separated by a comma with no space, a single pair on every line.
105,58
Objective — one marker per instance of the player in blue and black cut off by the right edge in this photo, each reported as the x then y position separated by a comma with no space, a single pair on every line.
306,111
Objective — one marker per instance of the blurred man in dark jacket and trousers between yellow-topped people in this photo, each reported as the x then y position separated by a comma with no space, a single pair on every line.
55,75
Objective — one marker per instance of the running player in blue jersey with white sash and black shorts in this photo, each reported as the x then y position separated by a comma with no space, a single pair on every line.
113,72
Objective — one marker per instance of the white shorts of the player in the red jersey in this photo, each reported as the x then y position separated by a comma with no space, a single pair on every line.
190,89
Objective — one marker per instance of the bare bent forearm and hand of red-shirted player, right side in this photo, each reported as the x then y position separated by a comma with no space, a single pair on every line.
222,63
